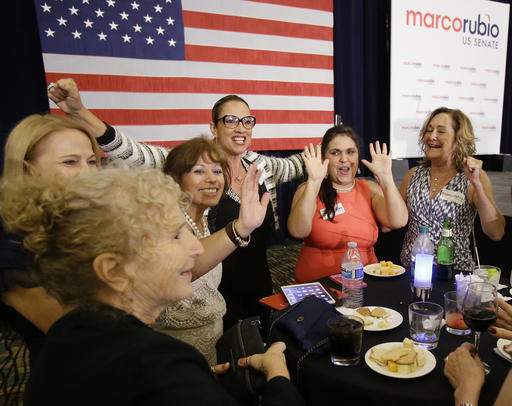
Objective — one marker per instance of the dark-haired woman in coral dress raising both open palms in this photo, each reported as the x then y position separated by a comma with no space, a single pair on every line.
333,207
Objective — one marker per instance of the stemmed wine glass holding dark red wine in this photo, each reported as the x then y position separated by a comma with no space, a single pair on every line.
479,310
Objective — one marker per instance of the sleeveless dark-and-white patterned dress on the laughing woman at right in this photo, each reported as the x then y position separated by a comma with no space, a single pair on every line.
452,201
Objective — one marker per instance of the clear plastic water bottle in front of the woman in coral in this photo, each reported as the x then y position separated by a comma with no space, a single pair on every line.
352,277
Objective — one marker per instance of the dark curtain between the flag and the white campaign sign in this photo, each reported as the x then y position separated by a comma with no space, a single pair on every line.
361,67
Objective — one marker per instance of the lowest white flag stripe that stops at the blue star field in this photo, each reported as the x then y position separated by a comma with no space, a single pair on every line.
229,39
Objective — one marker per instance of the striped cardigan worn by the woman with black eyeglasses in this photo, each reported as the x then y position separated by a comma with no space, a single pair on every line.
119,146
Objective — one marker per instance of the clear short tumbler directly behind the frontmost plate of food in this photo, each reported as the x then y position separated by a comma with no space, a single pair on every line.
425,320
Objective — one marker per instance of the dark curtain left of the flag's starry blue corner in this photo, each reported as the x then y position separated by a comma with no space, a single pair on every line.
24,86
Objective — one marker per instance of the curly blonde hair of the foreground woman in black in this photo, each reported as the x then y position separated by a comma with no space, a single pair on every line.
66,225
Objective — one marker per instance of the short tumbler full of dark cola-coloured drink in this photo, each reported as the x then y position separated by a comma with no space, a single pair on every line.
346,339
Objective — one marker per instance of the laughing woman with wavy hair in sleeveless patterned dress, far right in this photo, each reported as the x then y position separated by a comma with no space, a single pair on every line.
449,182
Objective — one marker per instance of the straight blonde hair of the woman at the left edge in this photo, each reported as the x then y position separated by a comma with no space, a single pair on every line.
24,137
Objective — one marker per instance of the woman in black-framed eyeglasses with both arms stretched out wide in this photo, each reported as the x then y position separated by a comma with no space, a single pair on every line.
246,275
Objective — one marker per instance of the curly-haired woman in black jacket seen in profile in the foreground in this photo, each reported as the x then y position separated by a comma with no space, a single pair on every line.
114,249
